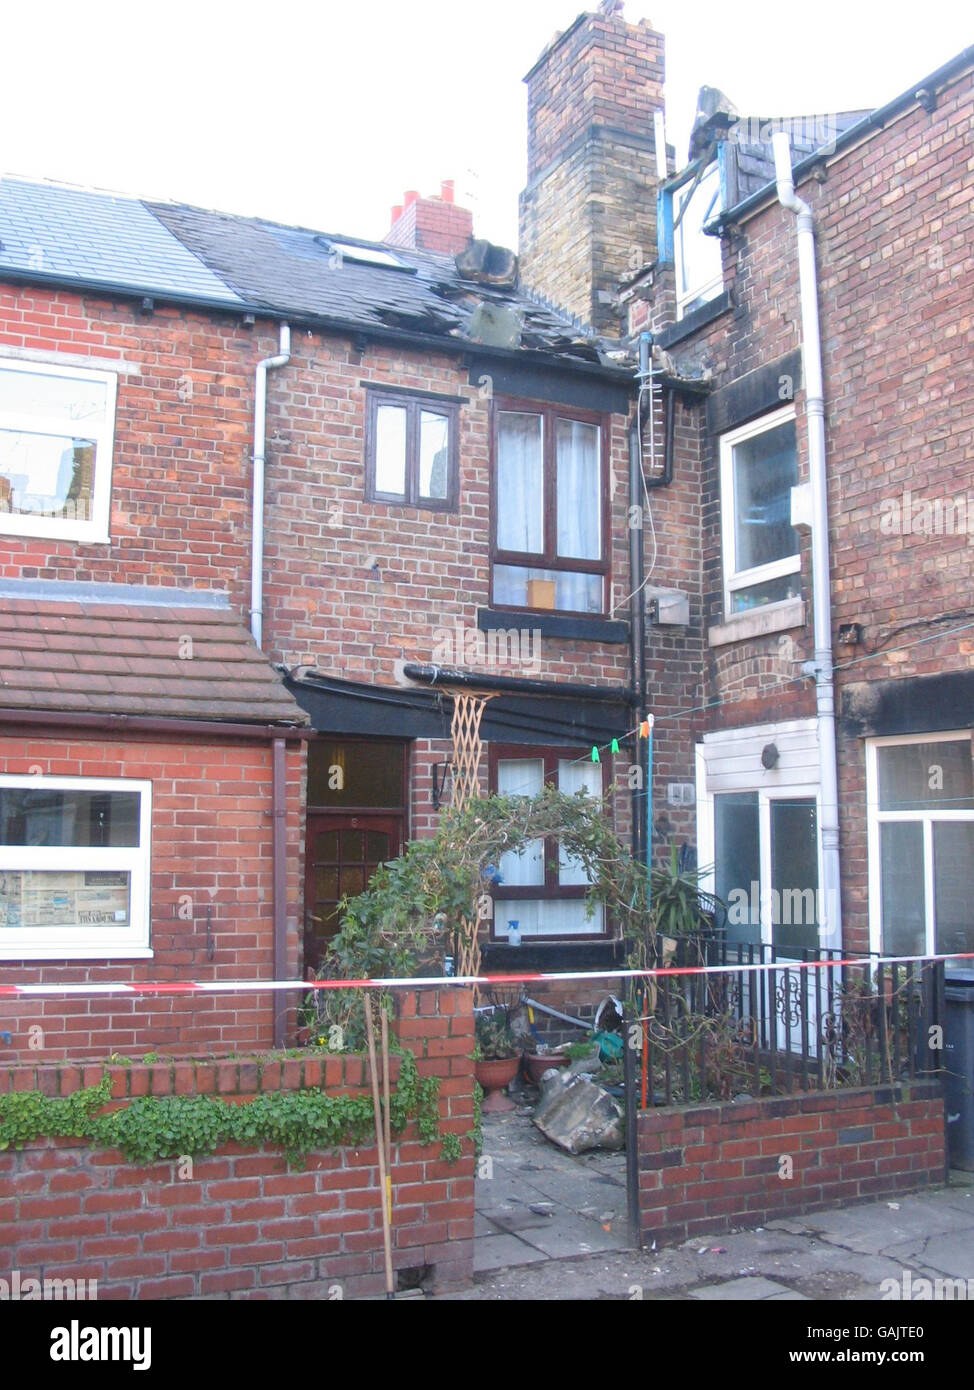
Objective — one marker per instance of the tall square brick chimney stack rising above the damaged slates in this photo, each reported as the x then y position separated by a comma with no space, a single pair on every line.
588,213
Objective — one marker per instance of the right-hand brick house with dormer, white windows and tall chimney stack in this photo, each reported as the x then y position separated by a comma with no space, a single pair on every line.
844,551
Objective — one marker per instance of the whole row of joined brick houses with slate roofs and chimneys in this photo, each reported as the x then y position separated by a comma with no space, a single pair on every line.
276,505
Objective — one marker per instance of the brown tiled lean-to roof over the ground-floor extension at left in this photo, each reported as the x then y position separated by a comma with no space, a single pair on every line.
138,660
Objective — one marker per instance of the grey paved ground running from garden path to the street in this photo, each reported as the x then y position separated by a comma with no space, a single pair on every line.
554,1227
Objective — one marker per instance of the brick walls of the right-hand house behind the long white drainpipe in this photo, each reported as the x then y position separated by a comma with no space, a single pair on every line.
895,283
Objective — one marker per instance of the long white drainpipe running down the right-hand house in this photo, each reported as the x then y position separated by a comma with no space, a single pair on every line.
822,667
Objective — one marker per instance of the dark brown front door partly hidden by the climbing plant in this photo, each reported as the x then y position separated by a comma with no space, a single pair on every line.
342,856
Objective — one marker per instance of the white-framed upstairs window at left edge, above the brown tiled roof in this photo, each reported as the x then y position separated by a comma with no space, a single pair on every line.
56,443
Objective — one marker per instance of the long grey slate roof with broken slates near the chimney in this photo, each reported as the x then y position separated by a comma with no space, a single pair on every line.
185,254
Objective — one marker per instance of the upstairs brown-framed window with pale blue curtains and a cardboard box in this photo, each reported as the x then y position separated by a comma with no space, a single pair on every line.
550,497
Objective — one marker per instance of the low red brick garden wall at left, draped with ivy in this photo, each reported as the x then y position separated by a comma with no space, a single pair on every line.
241,1224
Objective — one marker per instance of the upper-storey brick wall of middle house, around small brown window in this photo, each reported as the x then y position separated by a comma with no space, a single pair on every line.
326,604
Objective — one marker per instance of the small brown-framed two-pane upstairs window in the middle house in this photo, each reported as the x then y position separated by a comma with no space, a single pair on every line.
412,454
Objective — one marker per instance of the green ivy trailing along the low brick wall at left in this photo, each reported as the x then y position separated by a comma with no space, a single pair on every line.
158,1128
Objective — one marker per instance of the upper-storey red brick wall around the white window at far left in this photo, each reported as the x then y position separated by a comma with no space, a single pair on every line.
184,437
